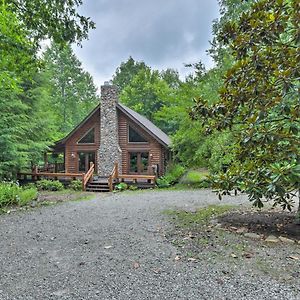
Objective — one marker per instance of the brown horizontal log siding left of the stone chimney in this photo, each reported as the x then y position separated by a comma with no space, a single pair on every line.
73,147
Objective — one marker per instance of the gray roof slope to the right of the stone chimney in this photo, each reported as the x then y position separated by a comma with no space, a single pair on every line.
147,125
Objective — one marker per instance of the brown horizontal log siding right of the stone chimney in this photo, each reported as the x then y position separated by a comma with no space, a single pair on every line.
153,147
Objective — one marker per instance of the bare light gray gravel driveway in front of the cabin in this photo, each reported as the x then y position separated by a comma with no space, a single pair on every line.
113,247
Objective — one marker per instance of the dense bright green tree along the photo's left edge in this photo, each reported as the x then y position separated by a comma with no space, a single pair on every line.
18,65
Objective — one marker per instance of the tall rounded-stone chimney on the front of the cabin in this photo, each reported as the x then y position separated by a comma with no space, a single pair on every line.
109,151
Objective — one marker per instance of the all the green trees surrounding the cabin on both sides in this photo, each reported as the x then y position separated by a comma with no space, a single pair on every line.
239,119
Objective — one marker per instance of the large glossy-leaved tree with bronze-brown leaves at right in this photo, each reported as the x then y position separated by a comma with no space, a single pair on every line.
259,103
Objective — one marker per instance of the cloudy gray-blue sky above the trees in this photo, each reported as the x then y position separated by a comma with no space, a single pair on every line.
162,33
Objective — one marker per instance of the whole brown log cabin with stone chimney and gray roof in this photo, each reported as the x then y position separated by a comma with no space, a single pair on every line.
115,135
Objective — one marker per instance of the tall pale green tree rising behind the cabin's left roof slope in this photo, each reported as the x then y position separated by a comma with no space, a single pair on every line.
72,91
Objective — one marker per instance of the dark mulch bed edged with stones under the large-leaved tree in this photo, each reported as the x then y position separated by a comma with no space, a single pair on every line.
278,223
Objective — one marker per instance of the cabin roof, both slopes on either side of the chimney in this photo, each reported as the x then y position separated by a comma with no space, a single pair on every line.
146,124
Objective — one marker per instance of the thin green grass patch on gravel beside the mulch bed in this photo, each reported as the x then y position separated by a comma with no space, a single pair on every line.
201,216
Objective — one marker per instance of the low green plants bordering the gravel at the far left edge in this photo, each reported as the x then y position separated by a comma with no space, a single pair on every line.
12,194
